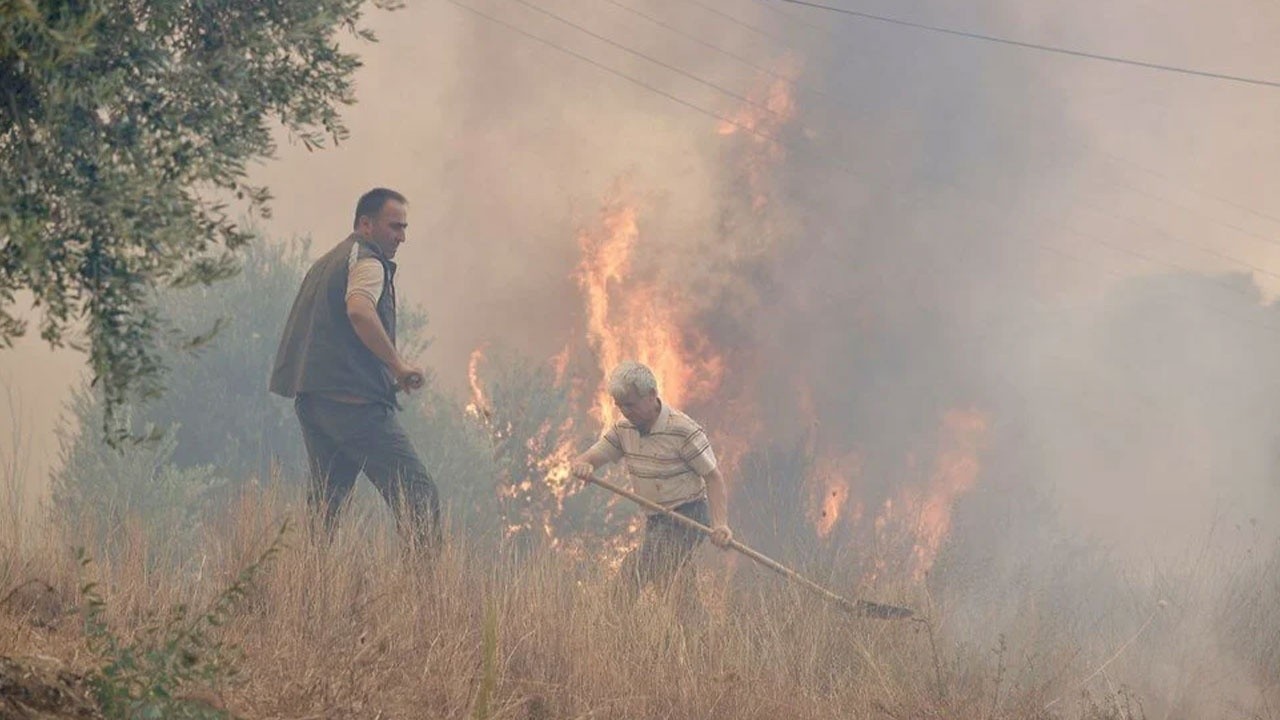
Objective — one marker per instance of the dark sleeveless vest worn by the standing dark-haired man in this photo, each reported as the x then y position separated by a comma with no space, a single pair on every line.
321,352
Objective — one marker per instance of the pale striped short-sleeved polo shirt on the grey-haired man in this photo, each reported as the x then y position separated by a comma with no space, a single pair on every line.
669,463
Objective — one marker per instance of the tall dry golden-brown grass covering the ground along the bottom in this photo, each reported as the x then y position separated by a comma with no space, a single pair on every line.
364,630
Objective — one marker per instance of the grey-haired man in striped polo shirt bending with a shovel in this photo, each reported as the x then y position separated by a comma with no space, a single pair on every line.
670,462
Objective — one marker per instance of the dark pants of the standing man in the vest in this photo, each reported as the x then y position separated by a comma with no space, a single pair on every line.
345,439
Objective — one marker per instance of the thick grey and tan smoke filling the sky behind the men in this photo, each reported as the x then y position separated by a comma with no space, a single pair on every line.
892,229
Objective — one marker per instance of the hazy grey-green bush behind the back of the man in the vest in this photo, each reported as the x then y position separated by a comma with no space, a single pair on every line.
217,411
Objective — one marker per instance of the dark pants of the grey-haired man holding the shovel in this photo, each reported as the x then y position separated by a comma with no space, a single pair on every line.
665,552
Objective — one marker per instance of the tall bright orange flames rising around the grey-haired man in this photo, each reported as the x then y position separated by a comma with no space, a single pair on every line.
627,318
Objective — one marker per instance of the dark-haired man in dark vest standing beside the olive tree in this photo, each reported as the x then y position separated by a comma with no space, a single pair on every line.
339,361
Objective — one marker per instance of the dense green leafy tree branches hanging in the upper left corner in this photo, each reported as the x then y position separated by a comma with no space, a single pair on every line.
126,129
